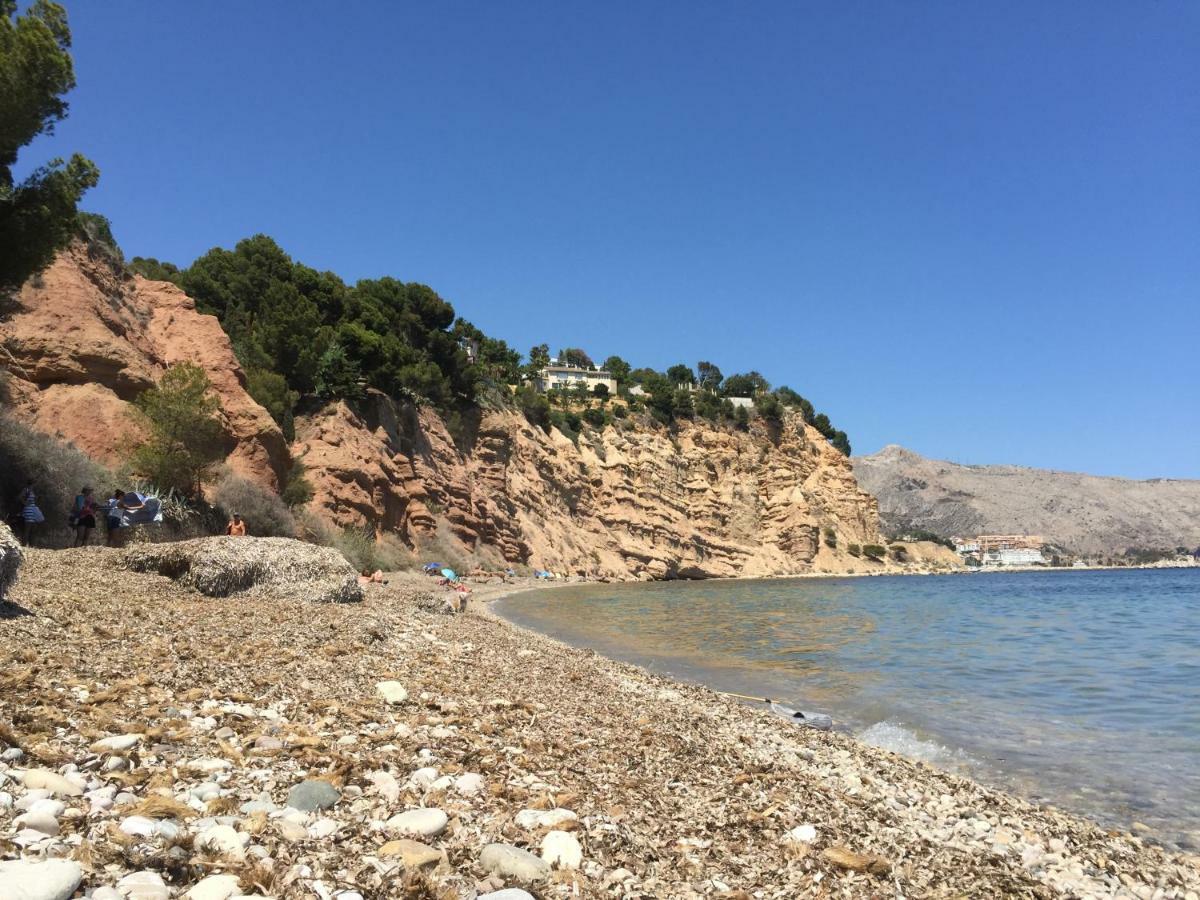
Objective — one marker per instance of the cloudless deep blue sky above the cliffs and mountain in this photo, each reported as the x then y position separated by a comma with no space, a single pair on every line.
969,229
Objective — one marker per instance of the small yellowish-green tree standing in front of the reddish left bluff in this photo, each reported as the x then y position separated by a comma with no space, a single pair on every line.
185,435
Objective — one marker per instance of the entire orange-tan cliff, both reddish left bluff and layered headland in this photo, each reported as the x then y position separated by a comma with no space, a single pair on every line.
632,501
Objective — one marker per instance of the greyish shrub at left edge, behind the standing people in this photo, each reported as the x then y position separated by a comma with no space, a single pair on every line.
58,471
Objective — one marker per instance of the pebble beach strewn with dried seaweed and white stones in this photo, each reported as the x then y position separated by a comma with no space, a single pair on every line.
157,743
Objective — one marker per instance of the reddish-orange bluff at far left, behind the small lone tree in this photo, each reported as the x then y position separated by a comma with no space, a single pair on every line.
86,343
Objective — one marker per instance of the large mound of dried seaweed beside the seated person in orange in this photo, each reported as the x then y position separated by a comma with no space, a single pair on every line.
254,567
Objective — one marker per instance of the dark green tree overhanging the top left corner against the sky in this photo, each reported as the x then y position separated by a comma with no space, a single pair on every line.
38,217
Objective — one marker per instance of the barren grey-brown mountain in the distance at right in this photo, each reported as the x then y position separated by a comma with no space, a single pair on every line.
1088,514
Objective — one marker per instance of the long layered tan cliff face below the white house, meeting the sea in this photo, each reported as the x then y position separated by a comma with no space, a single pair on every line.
699,502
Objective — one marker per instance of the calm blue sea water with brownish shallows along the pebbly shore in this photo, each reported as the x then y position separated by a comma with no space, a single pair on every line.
1079,689
